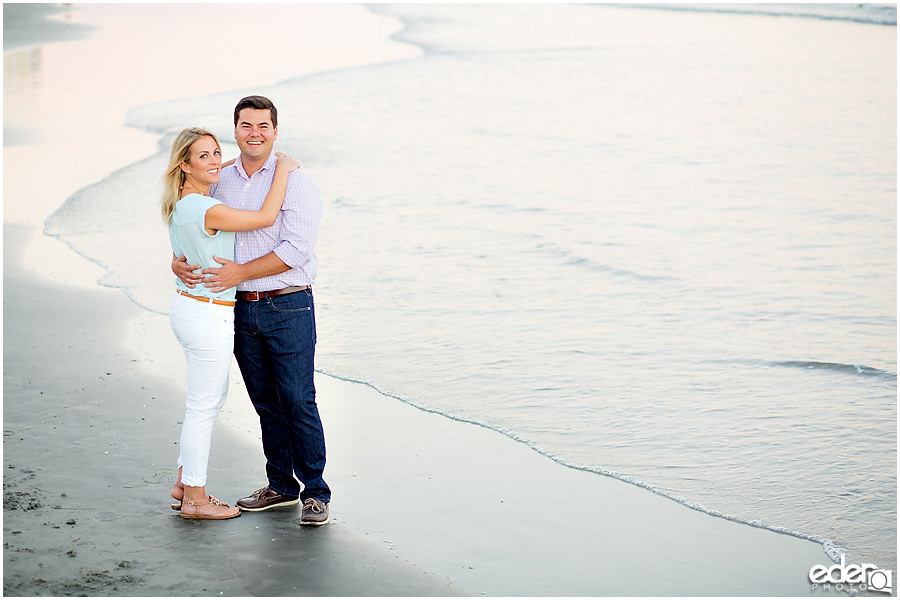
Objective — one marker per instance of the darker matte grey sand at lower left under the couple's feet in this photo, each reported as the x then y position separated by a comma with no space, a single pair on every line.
87,441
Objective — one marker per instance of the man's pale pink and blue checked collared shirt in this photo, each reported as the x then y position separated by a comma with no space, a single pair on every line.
292,237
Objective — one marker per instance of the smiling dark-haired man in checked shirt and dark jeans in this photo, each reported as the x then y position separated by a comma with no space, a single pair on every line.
274,317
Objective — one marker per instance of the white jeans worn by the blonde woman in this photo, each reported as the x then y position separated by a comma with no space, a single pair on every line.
206,334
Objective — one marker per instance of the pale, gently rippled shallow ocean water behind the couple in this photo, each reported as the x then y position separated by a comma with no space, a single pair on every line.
655,245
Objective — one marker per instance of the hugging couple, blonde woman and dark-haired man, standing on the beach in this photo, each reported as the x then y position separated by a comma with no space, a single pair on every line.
243,237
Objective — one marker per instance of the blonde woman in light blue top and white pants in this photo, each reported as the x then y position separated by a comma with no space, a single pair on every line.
201,227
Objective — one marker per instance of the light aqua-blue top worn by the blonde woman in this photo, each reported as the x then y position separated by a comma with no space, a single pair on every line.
188,236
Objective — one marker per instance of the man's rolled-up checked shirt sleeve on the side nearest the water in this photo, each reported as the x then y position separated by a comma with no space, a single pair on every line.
300,217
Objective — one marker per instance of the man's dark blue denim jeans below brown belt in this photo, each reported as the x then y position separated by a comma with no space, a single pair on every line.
275,347
